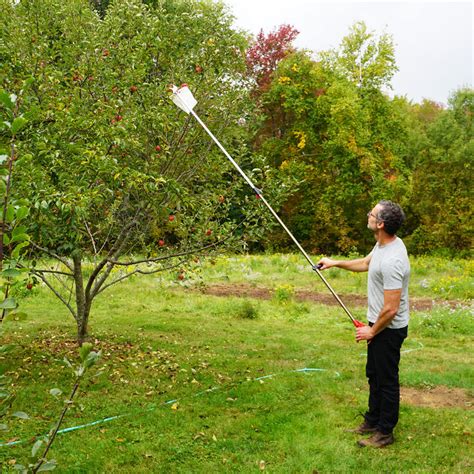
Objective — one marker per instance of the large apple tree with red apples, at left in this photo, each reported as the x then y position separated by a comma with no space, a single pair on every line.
120,181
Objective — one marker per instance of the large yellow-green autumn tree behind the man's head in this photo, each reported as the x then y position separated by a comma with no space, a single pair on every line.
341,136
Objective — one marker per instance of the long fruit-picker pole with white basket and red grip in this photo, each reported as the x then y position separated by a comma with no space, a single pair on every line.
184,99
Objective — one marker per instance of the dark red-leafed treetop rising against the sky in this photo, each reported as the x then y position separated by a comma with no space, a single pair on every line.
267,51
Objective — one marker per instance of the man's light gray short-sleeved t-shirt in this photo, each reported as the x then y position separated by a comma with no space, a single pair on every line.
389,269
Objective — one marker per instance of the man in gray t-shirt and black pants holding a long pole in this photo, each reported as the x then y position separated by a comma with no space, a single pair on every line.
388,314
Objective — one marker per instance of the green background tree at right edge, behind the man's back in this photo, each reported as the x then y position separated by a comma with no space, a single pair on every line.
442,179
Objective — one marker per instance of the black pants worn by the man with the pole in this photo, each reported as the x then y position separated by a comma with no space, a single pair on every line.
383,357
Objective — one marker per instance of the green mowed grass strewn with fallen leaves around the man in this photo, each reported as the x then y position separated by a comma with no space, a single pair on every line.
186,369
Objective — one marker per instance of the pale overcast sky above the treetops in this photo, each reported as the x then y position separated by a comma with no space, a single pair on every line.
433,39
